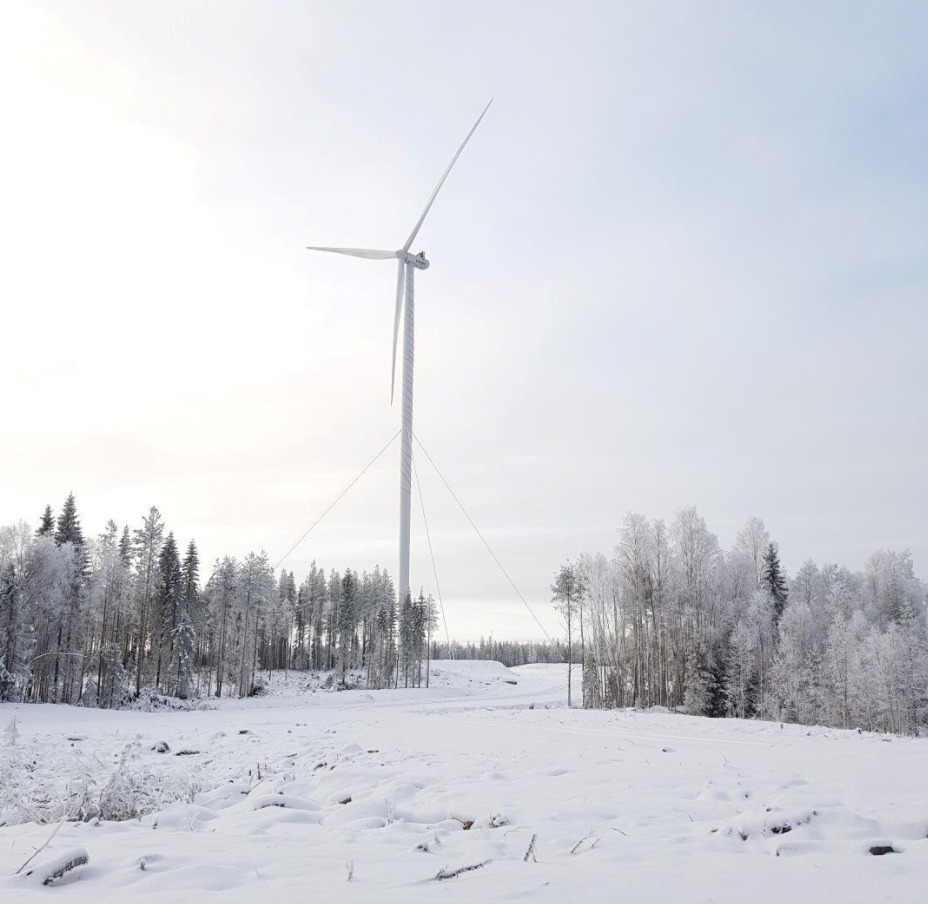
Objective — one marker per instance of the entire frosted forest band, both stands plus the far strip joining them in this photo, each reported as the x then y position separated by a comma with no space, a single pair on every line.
670,619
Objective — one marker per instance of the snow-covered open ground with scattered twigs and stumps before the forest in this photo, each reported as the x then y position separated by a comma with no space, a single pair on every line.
296,791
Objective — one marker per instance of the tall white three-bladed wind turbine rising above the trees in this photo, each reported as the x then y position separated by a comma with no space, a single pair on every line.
406,269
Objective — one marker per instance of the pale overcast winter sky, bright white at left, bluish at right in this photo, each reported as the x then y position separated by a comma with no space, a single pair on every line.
683,261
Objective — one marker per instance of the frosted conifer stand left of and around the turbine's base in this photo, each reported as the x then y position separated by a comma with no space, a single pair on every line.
94,621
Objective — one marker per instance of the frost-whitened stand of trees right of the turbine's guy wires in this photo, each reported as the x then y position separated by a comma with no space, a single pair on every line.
672,619
